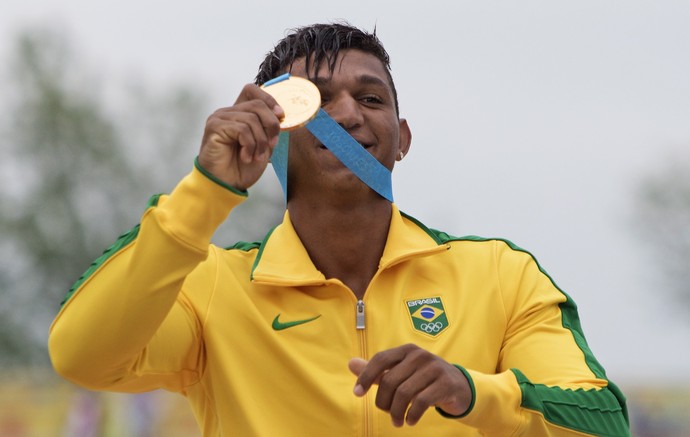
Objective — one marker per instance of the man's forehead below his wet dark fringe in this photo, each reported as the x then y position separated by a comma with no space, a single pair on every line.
349,62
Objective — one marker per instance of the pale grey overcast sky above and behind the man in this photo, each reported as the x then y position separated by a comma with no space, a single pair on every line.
532,121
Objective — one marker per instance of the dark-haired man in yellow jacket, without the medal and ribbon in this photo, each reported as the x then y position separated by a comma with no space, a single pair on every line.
259,337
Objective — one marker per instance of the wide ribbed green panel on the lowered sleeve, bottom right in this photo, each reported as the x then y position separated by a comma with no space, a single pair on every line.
596,412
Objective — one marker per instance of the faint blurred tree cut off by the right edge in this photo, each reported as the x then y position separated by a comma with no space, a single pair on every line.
662,206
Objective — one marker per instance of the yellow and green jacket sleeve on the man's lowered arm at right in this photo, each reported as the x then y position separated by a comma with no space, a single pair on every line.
548,382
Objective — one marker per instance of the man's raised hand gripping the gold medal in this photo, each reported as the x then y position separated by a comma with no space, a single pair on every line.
238,141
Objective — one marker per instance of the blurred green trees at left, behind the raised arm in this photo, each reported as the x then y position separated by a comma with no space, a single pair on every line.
78,168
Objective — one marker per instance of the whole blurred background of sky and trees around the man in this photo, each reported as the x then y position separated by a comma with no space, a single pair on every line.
562,126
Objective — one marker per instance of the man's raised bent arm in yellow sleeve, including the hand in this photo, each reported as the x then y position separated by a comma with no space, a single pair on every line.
126,325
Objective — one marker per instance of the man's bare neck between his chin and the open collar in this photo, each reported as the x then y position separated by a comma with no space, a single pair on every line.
345,242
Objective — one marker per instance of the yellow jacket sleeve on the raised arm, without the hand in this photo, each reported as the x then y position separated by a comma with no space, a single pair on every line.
126,325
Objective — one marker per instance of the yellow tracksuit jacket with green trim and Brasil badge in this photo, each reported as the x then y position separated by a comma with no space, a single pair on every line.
258,339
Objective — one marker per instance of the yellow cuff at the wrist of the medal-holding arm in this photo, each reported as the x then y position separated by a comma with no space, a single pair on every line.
196,207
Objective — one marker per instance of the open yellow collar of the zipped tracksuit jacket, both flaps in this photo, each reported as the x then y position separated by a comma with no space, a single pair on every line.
283,260
